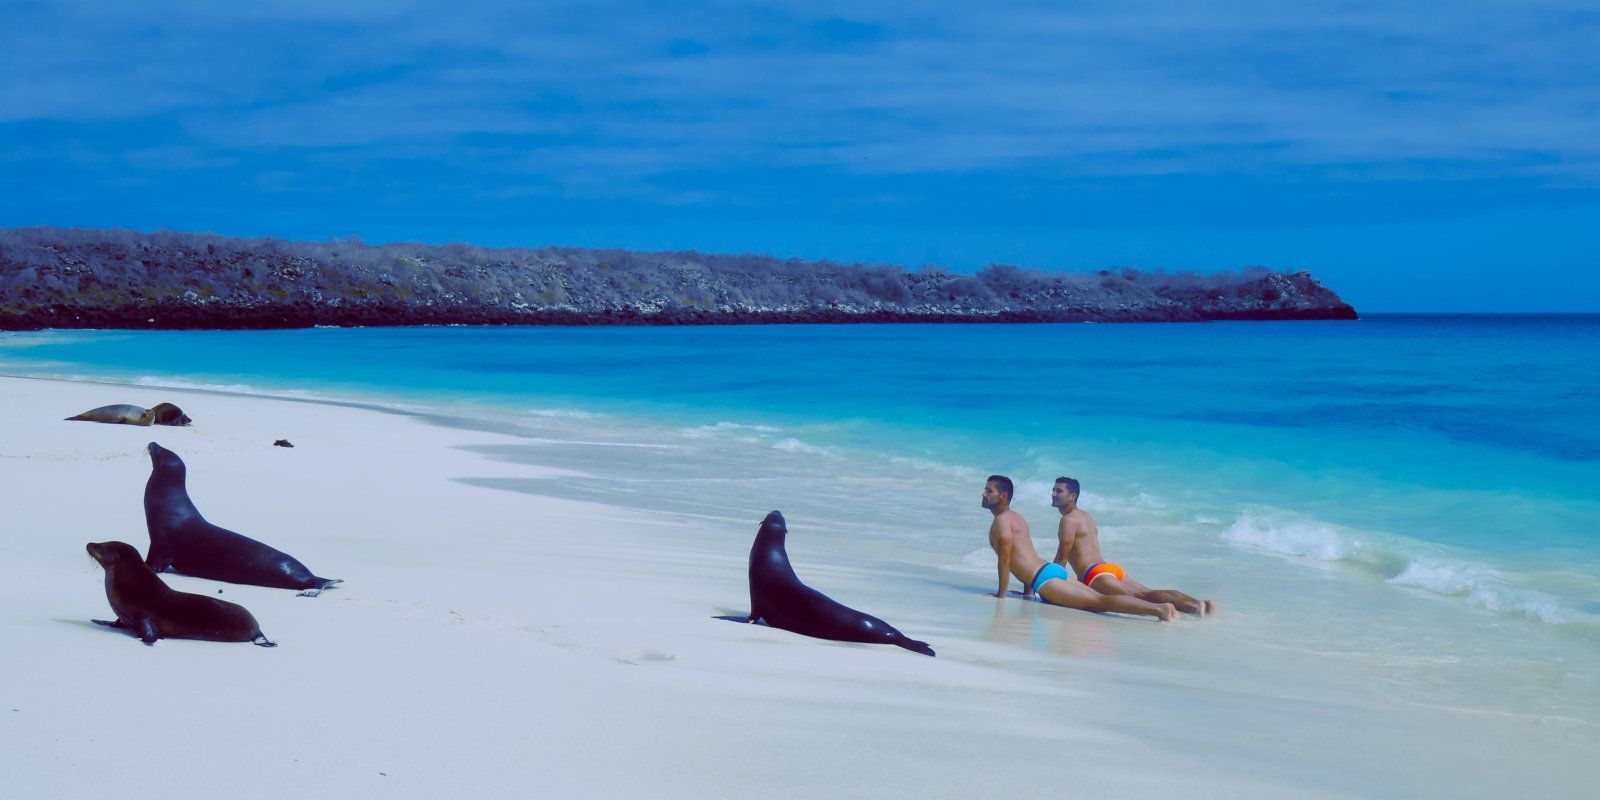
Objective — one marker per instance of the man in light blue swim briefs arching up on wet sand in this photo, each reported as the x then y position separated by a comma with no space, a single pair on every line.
1018,558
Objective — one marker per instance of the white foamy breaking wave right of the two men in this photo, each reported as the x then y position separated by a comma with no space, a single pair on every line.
1401,562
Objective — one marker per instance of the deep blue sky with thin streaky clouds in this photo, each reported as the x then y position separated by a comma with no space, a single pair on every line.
1412,156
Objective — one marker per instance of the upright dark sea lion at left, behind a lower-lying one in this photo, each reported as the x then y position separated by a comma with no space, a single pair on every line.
185,543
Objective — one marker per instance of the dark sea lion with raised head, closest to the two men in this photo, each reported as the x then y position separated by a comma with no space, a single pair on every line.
778,598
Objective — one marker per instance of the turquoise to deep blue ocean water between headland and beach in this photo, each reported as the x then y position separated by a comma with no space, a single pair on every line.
1407,487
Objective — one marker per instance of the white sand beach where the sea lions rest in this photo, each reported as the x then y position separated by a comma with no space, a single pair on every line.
503,644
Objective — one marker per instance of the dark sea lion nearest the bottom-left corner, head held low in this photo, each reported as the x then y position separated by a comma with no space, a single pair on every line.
151,610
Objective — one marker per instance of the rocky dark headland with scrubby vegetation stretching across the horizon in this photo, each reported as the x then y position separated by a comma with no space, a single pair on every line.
121,279
